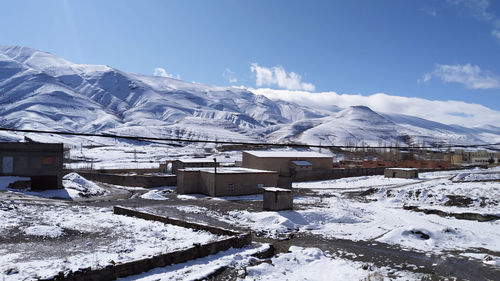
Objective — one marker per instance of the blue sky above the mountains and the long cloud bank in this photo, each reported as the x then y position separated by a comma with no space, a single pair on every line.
430,49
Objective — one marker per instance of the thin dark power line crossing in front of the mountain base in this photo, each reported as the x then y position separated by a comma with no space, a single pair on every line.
298,145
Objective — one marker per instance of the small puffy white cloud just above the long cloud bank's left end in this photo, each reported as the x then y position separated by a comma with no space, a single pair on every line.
277,76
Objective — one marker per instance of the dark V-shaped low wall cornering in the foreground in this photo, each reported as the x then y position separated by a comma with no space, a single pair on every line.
113,272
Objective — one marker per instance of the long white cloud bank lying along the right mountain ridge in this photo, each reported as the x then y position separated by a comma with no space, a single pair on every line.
447,112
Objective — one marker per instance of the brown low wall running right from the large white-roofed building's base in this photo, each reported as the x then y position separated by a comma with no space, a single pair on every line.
336,173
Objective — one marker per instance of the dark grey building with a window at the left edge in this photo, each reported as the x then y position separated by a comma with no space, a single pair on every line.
43,162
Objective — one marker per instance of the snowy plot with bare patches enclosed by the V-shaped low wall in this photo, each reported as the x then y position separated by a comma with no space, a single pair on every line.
40,240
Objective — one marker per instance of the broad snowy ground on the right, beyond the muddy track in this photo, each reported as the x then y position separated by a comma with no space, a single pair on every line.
371,208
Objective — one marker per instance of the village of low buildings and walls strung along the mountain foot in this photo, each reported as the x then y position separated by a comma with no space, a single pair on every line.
43,163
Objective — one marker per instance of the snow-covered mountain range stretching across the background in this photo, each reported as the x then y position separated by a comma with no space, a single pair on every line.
39,90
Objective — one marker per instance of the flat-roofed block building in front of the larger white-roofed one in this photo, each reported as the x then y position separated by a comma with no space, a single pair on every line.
216,182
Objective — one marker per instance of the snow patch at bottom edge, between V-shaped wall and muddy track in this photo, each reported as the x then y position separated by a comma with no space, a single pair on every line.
298,264
